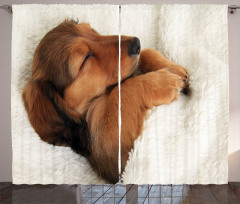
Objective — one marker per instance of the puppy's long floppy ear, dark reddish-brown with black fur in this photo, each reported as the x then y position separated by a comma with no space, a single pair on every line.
53,120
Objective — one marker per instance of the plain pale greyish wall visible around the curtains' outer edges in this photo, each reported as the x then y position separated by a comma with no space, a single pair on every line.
5,78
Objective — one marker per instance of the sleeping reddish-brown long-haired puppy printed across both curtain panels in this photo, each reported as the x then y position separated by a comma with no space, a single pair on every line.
72,97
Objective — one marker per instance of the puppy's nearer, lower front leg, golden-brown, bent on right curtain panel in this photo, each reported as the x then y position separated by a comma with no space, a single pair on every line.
142,92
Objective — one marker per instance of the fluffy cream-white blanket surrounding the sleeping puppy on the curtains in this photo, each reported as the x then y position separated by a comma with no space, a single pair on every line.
185,142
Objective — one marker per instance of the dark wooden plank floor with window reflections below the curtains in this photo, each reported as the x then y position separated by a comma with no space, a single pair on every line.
109,194
